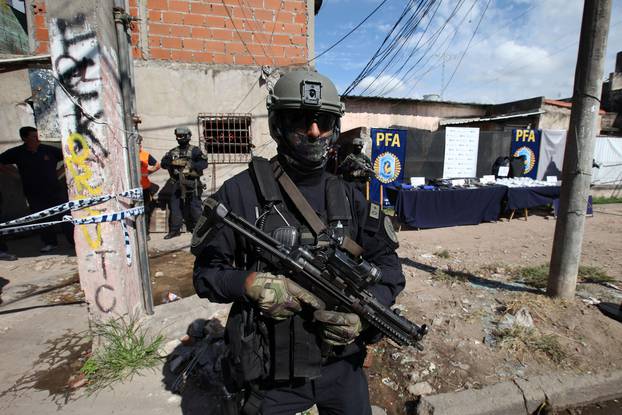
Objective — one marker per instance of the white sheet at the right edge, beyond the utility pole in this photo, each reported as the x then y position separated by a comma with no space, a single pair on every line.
608,154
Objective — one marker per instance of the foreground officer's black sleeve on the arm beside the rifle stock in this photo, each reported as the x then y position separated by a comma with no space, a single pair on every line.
215,275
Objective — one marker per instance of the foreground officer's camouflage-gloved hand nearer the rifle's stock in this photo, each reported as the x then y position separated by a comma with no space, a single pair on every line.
279,297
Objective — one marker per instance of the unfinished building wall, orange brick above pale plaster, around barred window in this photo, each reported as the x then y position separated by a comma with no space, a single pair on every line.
196,57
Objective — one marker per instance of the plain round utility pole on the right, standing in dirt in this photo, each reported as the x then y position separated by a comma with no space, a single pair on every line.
576,175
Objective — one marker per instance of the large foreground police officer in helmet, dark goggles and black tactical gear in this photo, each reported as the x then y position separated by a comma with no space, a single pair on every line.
286,351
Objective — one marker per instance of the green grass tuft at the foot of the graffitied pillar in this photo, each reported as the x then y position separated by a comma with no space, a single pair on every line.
126,349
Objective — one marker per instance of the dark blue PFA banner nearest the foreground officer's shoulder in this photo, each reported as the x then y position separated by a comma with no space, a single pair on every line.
388,156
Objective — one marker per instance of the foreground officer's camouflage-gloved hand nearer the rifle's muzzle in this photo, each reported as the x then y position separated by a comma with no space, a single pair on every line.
338,329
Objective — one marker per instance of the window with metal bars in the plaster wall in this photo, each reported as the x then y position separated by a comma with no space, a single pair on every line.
226,138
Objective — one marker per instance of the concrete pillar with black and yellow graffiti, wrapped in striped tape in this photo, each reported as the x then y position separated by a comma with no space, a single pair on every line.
90,108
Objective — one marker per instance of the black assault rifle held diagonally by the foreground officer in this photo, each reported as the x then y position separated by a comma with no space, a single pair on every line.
334,274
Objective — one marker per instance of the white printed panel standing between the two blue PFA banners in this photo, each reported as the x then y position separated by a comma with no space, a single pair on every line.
461,145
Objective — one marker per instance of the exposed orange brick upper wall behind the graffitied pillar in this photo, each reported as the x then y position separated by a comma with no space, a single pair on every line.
236,32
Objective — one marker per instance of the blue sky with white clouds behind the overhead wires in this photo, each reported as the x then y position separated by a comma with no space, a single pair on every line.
521,48
